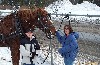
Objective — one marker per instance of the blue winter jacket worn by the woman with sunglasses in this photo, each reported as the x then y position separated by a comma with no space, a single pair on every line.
69,44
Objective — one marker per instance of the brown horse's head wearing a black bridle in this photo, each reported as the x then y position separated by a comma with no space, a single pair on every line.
43,21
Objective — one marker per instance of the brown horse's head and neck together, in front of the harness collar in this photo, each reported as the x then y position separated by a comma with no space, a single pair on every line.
38,18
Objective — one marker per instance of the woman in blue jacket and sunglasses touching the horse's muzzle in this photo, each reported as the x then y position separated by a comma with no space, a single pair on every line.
68,39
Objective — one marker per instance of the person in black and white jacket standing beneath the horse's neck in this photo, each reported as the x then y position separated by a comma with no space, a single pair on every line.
28,47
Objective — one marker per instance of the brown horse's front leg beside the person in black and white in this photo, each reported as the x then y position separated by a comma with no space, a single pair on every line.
15,51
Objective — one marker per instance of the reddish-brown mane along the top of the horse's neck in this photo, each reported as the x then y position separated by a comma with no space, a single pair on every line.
30,13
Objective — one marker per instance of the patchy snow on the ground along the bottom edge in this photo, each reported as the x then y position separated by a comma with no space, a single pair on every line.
5,58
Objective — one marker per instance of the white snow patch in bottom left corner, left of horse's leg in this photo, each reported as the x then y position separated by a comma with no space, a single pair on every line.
5,56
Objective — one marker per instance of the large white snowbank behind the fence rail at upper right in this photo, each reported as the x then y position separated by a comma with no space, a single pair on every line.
65,7
